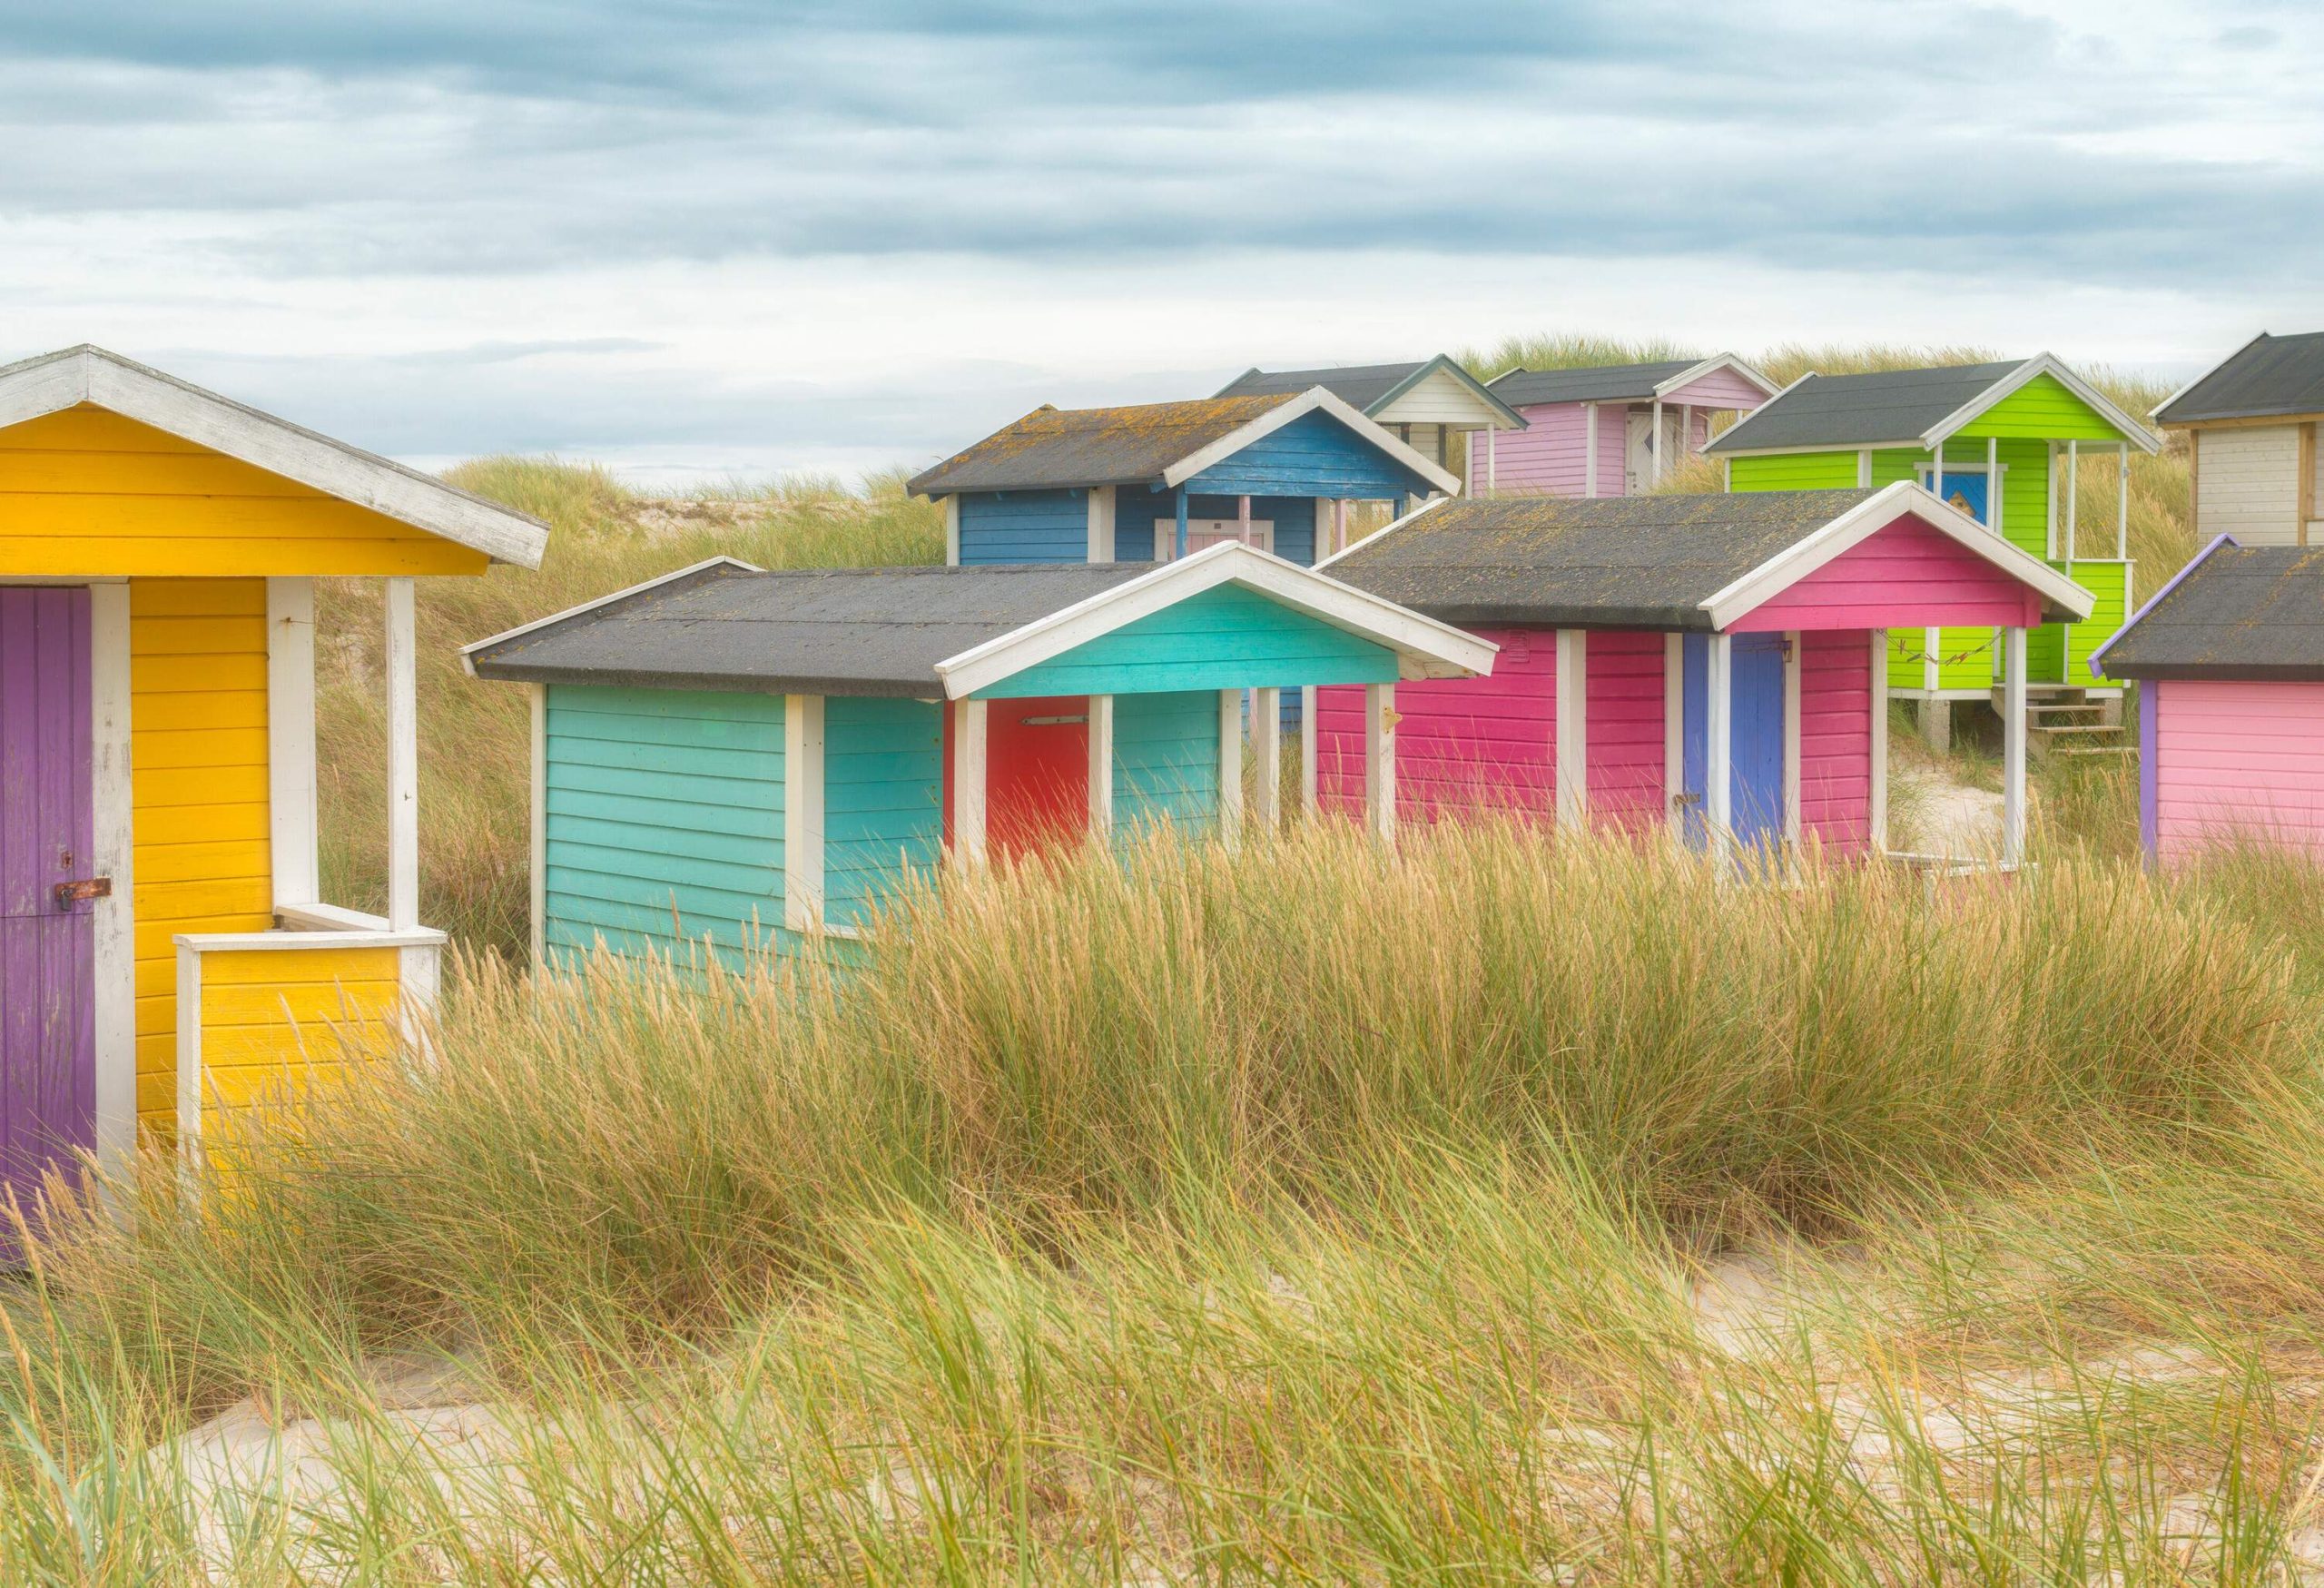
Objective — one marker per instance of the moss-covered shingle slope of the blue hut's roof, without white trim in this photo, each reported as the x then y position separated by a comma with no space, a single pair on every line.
1093,448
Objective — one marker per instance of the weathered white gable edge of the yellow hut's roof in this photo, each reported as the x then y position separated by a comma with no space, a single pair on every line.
89,375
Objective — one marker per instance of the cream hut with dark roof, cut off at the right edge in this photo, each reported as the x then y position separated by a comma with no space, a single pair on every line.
2253,443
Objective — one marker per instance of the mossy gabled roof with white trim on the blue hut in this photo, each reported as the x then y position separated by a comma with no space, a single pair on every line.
1154,443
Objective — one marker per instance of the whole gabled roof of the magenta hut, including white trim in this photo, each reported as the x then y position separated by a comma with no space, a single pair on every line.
1649,561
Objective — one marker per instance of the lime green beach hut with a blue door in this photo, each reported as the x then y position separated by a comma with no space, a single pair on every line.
1960,431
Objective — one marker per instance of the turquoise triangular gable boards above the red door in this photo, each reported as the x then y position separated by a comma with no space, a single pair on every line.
1226,638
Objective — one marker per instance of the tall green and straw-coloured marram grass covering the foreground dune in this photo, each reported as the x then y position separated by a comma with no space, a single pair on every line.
1305,1215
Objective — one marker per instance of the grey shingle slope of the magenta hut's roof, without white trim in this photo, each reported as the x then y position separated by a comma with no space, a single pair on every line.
1635,561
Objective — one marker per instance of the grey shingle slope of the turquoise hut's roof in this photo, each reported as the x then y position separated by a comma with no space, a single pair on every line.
831,631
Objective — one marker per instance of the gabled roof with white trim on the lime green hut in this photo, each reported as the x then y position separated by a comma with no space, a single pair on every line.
1902,408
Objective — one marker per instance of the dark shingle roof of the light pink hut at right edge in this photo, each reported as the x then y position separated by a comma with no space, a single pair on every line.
2244,613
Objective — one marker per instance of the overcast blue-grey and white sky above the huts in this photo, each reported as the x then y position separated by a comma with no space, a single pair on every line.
754,238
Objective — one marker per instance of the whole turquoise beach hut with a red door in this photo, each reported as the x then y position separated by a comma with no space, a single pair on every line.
733,757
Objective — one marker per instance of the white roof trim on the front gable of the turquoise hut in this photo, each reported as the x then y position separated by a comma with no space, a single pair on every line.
1426,648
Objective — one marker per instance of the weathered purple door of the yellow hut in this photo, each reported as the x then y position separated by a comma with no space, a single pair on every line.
48,936
